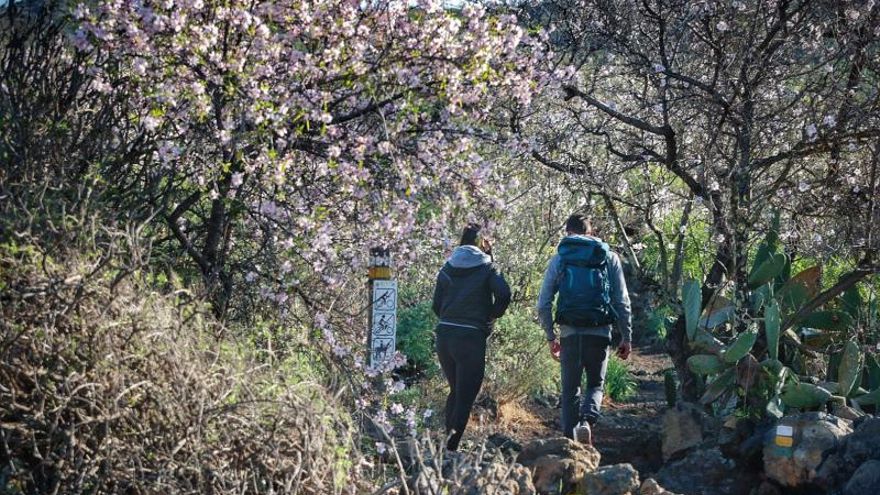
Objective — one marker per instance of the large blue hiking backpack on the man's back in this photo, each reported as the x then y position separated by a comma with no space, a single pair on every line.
584,289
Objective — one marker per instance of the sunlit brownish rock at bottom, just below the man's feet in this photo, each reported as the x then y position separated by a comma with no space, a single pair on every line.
558,464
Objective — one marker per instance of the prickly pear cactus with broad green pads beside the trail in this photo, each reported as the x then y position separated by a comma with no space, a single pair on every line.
853,377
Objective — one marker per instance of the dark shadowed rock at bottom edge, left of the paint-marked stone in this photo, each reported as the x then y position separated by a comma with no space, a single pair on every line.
705,472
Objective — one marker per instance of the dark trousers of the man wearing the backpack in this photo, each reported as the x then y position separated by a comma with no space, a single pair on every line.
580,353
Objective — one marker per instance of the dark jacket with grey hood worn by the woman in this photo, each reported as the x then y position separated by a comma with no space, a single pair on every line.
470,292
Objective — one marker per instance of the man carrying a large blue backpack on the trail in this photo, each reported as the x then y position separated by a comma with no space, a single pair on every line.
592,296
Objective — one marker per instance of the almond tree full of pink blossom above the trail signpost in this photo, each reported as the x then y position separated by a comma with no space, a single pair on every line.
291,136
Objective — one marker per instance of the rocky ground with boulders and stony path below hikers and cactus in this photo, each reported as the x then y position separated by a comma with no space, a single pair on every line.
644,447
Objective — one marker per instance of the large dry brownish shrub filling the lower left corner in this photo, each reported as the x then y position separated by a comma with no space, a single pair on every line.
108,387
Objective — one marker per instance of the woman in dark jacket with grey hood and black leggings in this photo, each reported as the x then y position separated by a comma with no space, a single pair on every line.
470,294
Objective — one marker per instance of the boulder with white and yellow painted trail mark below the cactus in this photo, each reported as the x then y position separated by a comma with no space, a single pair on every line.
816,436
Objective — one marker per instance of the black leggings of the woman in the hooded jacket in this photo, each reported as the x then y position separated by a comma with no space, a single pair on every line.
463,359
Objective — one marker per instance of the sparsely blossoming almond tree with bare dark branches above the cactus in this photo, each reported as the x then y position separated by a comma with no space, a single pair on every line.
747,107
